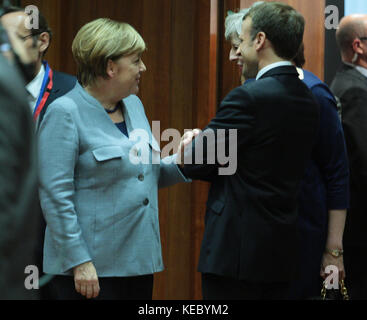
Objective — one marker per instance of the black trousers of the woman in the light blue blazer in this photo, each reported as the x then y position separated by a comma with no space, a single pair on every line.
119,288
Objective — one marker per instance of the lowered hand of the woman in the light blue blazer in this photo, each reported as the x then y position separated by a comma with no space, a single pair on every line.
86,280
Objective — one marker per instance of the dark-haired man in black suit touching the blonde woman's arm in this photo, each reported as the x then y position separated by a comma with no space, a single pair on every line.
249,250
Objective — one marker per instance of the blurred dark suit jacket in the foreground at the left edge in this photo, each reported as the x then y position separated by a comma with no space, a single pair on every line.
18,186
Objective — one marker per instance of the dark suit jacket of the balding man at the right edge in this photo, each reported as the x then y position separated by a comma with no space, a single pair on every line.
350,86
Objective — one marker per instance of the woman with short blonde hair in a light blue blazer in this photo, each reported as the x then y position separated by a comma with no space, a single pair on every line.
98,194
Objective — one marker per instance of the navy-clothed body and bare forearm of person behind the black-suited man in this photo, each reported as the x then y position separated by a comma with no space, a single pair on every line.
324,196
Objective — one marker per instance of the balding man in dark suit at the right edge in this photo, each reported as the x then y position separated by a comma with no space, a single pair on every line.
350,87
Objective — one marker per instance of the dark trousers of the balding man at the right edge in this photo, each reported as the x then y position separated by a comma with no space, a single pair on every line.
355,263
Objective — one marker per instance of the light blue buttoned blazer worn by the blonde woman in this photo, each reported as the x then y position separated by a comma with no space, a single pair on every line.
99,204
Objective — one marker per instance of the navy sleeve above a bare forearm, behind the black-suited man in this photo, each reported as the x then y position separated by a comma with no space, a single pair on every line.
330,151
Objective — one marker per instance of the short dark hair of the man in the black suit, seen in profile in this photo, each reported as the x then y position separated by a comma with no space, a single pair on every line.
281,23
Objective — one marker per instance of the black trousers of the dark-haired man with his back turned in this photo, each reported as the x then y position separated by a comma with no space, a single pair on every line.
222,288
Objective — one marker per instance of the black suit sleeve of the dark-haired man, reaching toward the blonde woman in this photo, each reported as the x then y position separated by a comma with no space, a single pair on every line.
215,151
